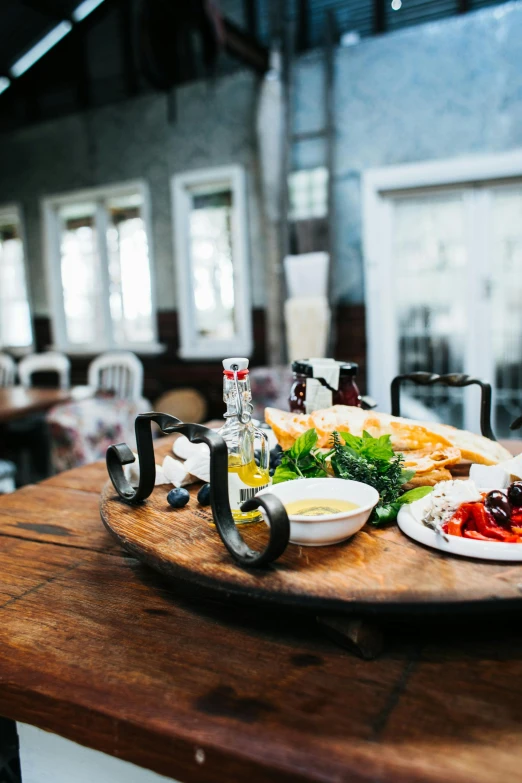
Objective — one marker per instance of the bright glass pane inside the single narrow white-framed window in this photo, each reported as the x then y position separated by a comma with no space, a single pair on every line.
212,264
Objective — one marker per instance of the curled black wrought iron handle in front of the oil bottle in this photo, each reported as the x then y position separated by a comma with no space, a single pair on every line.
120,455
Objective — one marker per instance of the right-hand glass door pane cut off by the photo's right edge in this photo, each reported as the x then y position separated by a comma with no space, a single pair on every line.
506,305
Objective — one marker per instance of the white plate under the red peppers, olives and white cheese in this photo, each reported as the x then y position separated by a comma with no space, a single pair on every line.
408,521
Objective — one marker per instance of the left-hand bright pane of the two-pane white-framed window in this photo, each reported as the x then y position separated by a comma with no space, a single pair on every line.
81,277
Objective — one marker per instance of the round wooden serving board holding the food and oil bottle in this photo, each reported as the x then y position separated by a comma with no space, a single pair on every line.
376,569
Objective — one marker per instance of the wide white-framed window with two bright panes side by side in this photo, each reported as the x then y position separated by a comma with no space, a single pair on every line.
100,270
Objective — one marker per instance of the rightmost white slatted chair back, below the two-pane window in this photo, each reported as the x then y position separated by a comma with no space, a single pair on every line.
118,371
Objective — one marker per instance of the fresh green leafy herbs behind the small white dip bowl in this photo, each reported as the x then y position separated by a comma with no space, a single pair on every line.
367,459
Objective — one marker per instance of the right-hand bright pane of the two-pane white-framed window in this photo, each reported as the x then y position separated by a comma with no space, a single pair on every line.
129,273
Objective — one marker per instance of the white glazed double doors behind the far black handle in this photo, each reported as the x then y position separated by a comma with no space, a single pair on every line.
446,296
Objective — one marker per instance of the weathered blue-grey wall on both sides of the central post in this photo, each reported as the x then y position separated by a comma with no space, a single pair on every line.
439,90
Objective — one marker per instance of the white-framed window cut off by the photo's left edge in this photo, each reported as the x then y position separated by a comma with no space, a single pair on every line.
15,316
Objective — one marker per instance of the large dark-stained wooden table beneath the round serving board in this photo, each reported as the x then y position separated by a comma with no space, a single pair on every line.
100,650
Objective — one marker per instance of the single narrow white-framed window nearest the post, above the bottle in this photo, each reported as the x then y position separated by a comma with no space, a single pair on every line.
210,236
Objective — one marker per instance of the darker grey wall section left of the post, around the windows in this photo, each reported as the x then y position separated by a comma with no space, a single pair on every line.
214,125
